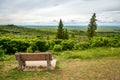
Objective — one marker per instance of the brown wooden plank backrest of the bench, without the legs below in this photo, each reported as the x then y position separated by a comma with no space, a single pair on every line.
33,56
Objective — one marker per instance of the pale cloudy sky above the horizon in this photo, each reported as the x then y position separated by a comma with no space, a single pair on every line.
51,11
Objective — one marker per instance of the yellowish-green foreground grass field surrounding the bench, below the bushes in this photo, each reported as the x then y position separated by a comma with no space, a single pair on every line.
105,67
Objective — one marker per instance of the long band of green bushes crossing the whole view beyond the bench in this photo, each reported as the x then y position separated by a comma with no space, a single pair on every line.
10,46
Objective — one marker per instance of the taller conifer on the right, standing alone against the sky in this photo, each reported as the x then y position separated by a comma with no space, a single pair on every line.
92,26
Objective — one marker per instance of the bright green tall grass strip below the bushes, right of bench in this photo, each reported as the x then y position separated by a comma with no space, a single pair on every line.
95,53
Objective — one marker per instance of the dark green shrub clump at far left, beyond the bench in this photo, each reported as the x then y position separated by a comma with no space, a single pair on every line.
13,45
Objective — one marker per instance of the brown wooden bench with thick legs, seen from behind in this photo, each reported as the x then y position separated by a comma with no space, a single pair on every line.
22,57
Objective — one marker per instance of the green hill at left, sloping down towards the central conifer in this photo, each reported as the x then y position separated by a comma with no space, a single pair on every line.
23,32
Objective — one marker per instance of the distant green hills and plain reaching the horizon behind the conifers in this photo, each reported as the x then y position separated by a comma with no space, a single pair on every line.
43,31
